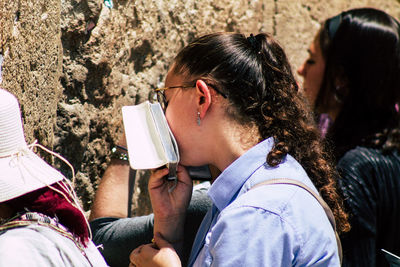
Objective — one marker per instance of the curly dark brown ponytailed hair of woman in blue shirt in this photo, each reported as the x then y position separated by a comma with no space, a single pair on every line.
257,79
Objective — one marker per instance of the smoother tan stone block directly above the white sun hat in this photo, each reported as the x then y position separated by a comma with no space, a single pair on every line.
31,62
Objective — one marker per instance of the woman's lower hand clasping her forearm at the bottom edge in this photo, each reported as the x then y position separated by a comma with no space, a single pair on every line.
161,254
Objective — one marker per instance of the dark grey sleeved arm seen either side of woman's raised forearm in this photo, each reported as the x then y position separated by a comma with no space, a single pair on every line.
119,236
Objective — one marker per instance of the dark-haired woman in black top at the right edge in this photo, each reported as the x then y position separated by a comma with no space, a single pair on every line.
352,78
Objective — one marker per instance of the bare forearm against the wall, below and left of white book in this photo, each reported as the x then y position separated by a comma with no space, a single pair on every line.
111,198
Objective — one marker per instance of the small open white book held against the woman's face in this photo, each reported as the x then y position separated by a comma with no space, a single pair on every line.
150,141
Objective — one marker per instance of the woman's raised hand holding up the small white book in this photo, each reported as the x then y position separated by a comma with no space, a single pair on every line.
169,207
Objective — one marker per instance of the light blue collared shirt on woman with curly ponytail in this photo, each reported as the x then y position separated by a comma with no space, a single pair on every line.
272,225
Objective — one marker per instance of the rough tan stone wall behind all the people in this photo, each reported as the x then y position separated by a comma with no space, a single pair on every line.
74,63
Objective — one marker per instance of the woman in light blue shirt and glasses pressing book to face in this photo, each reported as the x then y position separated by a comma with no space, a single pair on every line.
232,102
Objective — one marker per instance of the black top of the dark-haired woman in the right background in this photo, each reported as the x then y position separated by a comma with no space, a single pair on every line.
371,188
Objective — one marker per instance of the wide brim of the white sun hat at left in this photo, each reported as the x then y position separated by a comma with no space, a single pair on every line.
23,173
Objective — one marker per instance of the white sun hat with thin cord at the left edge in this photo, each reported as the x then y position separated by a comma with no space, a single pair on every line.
21,170
